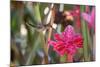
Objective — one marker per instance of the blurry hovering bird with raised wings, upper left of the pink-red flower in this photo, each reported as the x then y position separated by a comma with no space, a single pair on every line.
40,26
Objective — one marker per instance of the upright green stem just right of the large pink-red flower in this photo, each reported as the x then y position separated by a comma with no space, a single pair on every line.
85,36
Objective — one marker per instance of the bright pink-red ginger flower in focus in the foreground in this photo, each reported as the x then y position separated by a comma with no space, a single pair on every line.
67,42
